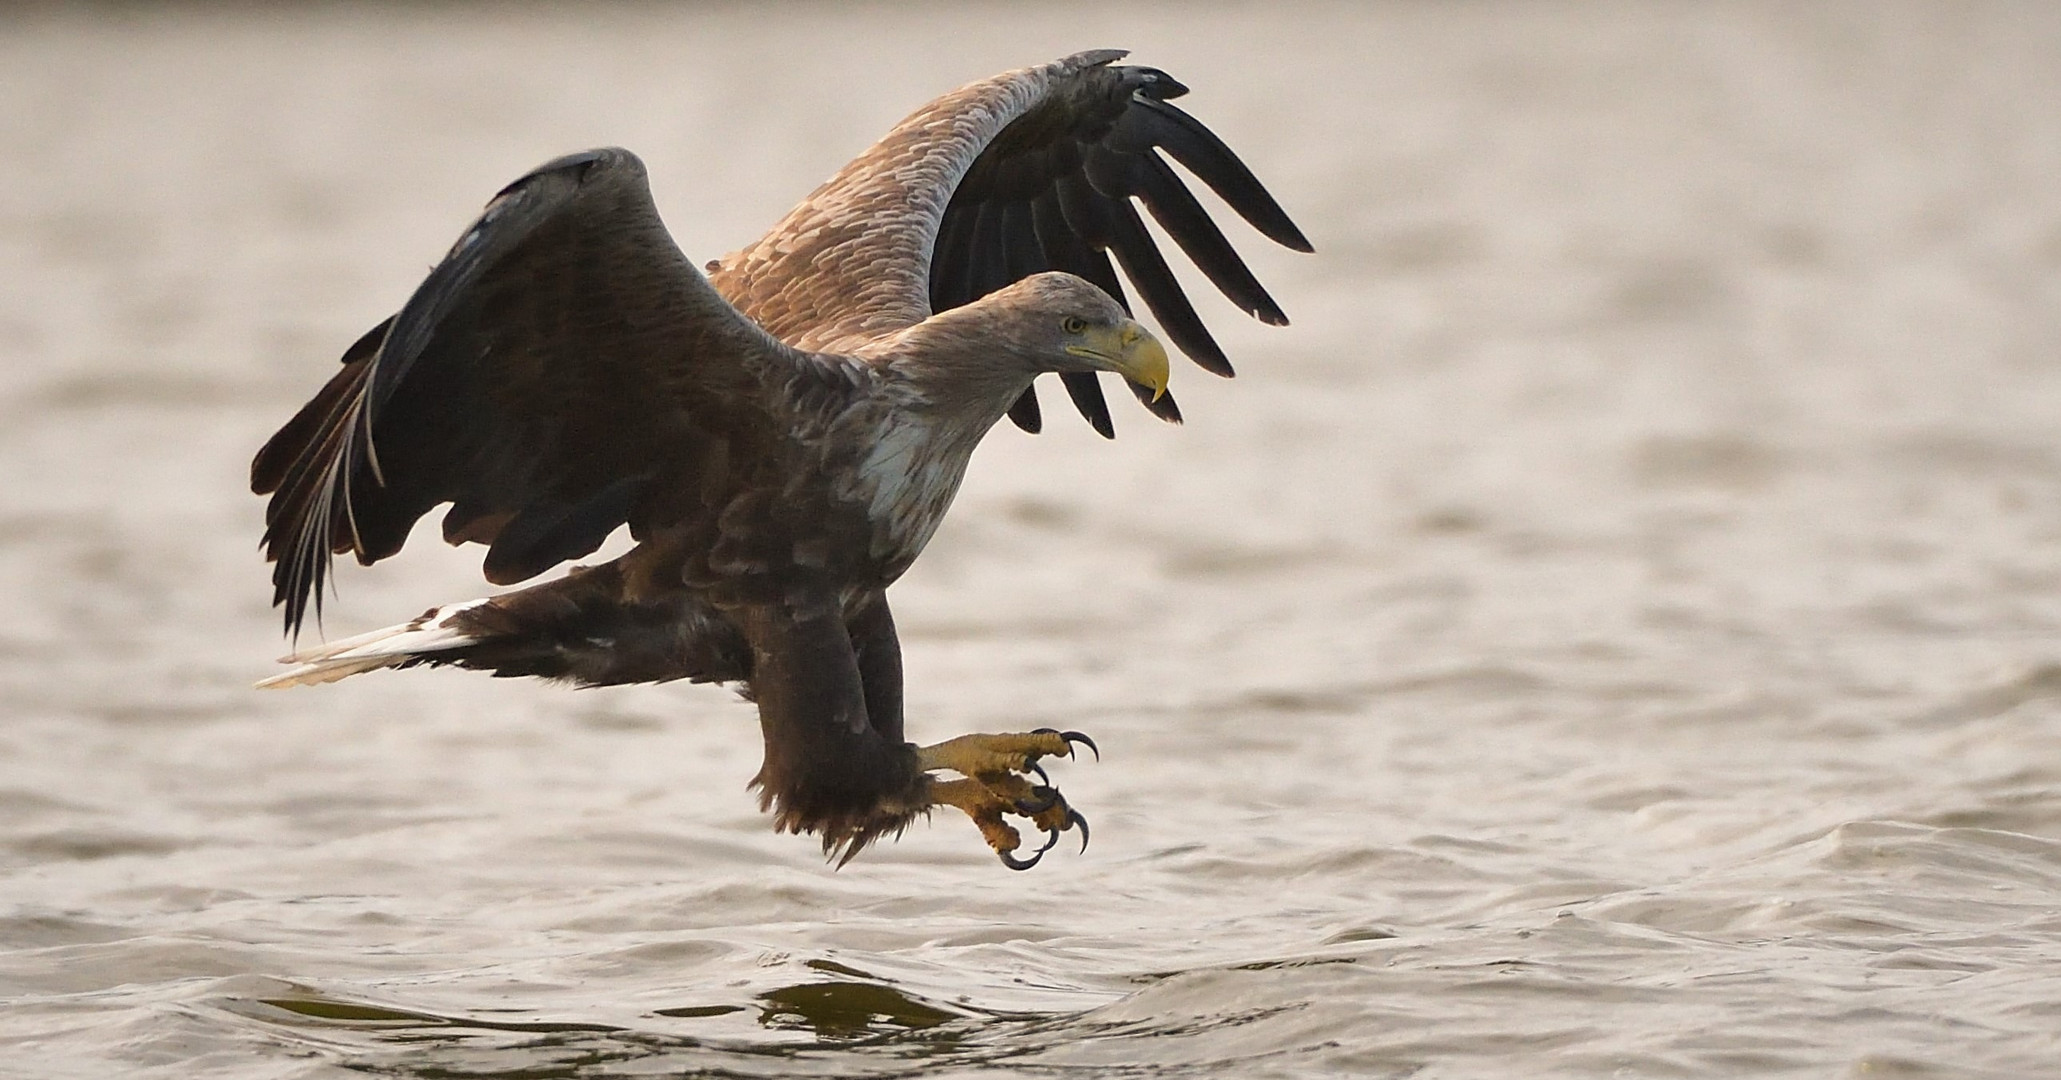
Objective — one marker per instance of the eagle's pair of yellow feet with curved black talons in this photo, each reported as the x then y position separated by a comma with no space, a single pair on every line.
996,770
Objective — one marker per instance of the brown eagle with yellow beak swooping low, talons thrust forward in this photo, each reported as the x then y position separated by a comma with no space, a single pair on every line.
780,432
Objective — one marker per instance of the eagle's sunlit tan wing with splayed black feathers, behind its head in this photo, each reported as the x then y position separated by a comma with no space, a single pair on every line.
1027,172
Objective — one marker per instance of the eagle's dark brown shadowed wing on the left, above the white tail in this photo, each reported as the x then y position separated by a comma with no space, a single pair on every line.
564,372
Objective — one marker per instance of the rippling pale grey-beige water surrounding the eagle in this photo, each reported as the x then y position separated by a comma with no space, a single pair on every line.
1613,634
